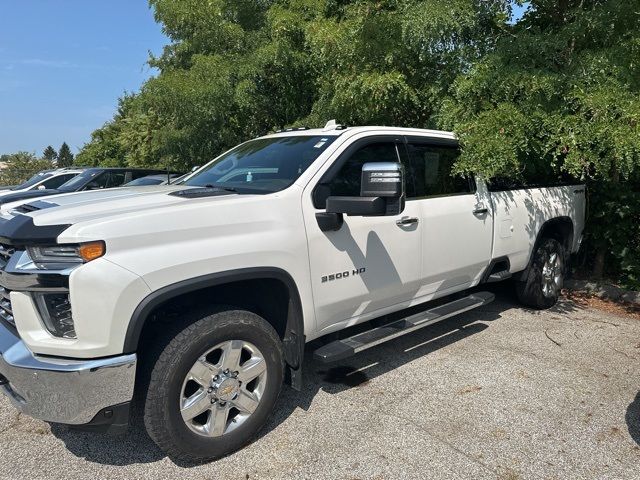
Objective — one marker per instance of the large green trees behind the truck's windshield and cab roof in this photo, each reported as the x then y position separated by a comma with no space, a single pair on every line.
238,69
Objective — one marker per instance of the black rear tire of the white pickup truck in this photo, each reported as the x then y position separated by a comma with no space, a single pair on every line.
534,291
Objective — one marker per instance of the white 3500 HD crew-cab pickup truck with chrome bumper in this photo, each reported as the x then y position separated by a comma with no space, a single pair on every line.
197,300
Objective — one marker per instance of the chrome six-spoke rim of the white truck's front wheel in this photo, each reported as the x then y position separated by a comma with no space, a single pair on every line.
223,388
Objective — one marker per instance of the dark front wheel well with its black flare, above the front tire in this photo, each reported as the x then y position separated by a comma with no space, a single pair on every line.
267,291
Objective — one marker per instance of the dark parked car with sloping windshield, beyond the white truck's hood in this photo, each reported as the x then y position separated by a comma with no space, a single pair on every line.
90,179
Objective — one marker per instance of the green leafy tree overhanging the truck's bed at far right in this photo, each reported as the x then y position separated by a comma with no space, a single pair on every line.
560,93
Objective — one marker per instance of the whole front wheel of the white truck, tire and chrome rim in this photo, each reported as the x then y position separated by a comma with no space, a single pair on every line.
213,386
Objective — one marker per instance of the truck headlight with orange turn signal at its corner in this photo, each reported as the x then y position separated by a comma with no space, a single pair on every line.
59,257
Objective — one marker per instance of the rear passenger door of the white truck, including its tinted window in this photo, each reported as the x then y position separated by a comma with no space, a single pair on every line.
456,219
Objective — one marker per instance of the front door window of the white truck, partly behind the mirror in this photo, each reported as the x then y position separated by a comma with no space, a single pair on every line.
346,182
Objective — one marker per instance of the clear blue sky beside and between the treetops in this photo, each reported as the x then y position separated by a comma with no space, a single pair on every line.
64,63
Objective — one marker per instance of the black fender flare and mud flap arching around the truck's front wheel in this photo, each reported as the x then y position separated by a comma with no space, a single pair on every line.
294,338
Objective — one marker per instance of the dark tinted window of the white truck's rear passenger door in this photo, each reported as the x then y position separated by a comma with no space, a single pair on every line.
431,167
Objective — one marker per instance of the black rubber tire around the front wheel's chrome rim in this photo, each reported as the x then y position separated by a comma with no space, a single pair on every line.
164,386
